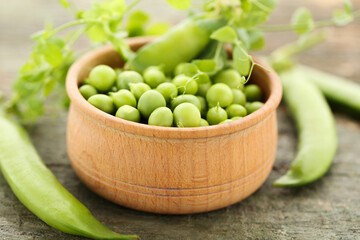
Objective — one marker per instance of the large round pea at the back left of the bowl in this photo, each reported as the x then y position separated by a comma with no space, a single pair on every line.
102,77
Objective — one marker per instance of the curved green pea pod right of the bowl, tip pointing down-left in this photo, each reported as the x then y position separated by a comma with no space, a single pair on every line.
316,130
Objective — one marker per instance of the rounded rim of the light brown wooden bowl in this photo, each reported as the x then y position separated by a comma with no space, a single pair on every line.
128,127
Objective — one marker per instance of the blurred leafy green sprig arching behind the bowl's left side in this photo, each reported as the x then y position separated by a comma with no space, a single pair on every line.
40,85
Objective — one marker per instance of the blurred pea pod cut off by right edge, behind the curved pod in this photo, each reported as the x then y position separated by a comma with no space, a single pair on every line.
339,91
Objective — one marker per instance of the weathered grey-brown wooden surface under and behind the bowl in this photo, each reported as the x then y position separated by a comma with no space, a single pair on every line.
327,209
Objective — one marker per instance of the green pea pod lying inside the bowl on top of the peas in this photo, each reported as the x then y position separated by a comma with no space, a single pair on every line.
181,44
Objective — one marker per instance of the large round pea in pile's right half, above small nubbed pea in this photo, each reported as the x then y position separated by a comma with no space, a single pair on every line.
219,94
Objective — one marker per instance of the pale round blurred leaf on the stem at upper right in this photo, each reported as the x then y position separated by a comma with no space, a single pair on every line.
302,21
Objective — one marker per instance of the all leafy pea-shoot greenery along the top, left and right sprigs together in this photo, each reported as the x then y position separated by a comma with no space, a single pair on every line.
40,85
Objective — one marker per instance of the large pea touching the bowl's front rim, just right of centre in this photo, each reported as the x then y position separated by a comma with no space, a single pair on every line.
187,115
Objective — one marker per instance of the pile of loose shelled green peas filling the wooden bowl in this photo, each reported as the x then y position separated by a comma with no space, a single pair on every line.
182,101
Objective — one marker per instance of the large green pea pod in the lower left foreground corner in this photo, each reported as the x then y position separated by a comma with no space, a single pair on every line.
39,190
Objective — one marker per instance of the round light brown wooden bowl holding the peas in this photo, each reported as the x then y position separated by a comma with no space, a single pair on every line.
166,169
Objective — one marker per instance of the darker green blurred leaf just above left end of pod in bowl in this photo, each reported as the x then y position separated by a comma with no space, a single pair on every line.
136,23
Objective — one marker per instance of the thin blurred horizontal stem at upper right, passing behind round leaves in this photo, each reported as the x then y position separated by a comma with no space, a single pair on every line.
319,24
